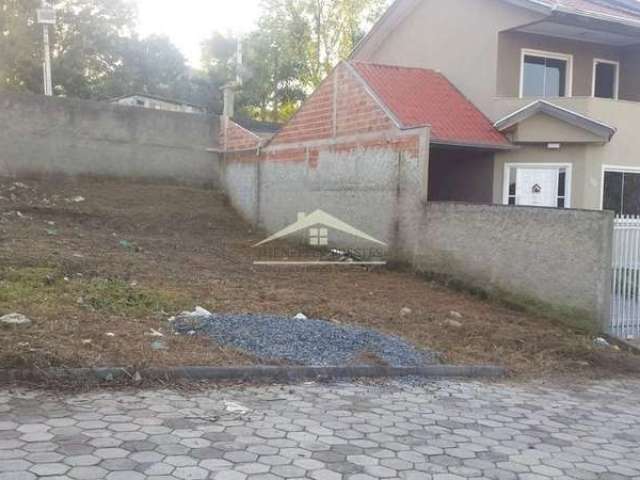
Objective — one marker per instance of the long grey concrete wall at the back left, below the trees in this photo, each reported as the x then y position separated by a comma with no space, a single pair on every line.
44,136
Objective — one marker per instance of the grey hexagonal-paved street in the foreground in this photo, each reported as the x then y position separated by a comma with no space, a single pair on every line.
413,430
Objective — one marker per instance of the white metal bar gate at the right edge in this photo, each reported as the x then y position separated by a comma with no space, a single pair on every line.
625,305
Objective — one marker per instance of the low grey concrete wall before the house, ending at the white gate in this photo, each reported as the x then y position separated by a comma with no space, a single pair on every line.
559,257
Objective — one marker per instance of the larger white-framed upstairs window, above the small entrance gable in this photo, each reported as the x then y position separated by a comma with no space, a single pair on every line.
545,74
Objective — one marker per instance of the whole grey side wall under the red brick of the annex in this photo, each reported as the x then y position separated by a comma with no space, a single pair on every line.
359,187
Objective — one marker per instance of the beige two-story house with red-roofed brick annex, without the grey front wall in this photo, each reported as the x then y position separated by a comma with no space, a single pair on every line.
515,102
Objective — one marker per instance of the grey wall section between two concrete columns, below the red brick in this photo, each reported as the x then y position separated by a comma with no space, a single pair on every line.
358,187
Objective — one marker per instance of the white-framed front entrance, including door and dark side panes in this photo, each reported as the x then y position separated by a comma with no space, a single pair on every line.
538,185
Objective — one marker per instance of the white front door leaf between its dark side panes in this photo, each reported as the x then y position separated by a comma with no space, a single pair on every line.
537,187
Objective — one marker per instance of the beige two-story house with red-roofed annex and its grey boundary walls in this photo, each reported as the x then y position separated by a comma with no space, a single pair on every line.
514,102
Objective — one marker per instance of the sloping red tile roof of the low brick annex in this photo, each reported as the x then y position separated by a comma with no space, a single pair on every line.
419,97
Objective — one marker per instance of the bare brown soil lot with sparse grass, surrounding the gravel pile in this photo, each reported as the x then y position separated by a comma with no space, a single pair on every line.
97,275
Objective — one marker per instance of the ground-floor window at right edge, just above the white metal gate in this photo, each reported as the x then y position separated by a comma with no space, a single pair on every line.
622,192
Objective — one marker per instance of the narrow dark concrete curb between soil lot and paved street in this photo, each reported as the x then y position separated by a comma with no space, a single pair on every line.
252,374
